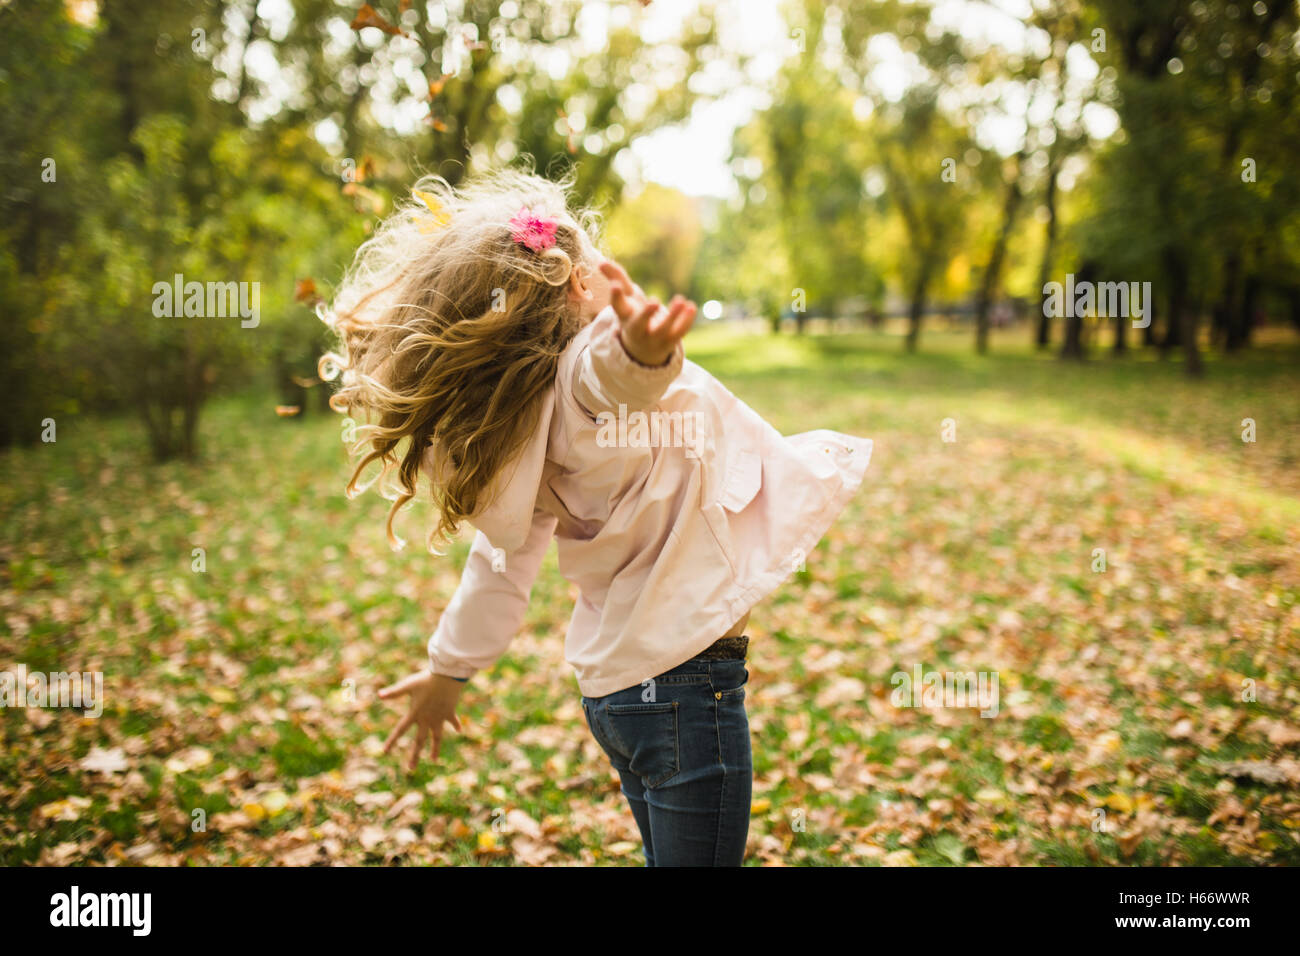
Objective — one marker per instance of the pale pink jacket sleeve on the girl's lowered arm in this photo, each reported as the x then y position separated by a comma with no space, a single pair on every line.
489,604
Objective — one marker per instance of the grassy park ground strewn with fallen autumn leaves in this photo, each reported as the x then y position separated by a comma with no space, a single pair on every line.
1149,712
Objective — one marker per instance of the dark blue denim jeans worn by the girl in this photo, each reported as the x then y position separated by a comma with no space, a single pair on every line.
681,745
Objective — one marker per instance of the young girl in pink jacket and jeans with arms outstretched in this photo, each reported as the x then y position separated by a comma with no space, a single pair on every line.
543,395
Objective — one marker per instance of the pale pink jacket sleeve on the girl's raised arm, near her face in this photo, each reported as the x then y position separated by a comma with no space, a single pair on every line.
605,377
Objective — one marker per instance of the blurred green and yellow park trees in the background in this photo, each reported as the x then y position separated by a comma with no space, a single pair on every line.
899,166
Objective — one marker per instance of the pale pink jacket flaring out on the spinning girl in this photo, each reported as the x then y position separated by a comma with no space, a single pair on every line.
674,505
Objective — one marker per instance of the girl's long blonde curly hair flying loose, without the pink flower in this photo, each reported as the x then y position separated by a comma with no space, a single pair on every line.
450,334
